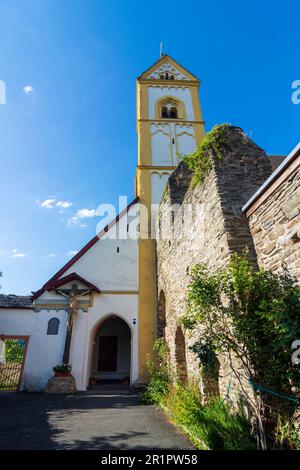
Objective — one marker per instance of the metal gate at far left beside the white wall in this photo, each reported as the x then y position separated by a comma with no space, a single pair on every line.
12,360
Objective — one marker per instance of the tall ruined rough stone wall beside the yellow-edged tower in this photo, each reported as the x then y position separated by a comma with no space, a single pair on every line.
216,228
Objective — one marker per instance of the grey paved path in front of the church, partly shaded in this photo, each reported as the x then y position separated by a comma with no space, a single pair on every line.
96,420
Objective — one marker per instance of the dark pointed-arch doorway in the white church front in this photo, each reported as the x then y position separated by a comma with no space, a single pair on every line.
111,360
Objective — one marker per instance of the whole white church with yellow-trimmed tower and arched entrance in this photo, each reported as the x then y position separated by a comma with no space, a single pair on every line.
98,312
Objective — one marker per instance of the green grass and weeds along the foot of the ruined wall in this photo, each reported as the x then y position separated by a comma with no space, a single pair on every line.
212,426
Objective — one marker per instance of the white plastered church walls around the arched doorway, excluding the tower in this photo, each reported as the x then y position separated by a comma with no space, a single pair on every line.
108,270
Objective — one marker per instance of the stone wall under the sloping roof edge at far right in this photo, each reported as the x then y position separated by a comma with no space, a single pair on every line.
274,219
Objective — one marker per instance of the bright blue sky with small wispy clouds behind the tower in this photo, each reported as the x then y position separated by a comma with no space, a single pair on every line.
68,131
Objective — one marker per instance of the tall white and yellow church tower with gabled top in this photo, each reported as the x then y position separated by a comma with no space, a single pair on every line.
169,125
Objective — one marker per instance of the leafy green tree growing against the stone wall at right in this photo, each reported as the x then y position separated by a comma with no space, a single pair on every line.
253,315
